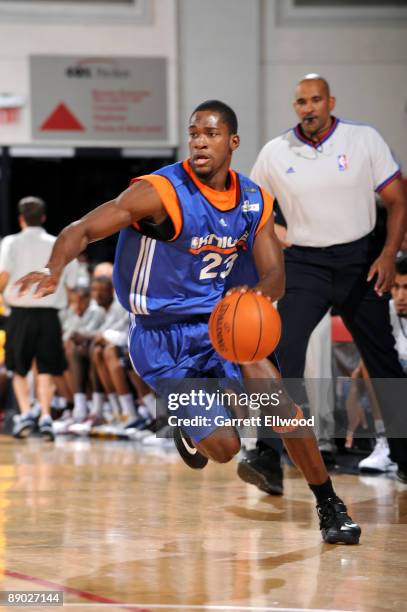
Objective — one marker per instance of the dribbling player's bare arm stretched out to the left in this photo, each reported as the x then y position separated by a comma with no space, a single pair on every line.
138,201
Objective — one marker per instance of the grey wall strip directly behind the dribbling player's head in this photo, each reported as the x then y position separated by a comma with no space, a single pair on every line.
219,58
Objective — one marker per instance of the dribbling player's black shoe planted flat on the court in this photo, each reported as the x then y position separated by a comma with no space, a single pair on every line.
335,524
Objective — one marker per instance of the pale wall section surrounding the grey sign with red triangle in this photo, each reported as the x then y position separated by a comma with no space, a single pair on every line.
24,37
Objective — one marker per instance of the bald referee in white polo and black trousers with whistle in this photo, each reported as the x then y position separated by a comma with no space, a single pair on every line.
324,173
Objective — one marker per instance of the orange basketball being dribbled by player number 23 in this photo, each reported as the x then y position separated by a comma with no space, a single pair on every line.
244,327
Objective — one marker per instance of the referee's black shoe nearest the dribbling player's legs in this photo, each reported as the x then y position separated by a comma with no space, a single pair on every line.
263,470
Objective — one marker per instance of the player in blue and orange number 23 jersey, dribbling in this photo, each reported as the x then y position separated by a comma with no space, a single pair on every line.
183,229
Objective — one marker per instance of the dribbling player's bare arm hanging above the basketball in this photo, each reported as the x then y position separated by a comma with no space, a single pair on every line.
268,257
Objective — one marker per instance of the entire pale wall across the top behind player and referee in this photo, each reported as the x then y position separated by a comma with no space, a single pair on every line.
236,51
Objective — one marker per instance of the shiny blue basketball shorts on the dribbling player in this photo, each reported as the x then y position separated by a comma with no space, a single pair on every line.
163,354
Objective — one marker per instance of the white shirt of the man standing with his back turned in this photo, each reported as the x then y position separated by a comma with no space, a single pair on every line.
29,251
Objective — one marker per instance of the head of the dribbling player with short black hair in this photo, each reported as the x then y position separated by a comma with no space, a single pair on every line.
212,138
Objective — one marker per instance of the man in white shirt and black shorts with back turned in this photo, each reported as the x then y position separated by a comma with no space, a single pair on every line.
33,328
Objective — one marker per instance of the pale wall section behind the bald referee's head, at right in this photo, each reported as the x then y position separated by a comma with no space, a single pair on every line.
366,65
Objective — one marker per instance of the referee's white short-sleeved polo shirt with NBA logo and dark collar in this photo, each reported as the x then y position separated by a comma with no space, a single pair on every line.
326,192
